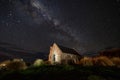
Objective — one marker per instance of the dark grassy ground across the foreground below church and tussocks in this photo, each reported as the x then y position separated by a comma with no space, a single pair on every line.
66,72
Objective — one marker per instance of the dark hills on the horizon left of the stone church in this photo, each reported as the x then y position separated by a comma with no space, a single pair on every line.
8,51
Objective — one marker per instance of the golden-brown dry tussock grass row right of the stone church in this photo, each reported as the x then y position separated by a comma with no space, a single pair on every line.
99,61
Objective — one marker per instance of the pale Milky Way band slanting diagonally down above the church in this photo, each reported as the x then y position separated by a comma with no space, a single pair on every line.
64,32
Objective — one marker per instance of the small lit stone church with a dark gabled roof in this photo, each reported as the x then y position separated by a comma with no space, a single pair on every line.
63,55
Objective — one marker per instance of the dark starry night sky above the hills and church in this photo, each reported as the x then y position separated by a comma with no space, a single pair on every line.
86,25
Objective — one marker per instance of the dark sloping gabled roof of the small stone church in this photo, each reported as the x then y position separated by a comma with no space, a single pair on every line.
68,50
